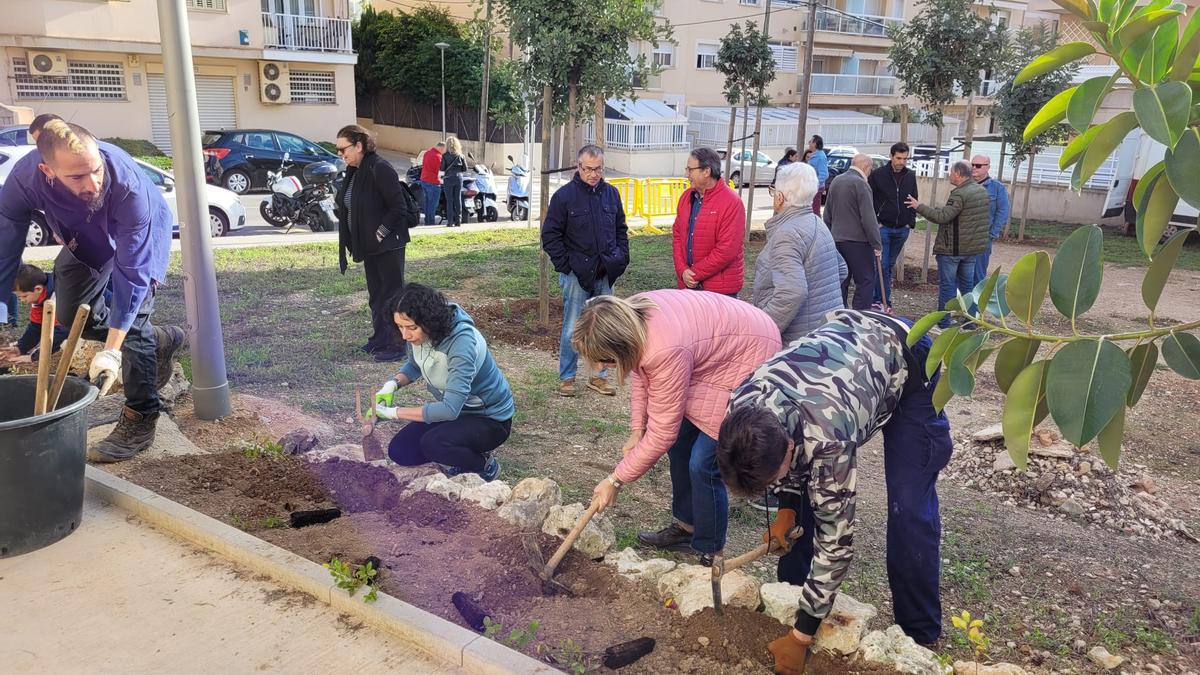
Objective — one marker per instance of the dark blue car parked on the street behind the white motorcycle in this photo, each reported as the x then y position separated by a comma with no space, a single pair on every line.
238,159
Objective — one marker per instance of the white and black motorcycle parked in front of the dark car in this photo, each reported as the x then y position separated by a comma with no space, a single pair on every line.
308,204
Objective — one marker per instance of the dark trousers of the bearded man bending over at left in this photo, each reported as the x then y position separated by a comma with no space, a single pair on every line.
77,284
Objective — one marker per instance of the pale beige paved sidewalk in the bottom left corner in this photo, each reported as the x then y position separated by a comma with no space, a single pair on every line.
119,596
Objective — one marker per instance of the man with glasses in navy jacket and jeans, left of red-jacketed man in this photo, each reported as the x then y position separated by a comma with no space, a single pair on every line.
586,238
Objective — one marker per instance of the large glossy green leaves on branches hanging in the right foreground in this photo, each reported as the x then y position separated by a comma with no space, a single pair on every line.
1085,384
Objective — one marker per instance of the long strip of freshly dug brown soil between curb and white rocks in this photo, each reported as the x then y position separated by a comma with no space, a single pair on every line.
433,548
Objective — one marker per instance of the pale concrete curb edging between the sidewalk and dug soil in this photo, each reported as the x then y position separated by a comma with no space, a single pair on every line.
427,632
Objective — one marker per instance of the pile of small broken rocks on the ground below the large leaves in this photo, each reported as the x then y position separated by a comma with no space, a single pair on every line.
1069,482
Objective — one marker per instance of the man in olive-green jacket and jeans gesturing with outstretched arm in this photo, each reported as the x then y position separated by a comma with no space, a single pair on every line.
962,236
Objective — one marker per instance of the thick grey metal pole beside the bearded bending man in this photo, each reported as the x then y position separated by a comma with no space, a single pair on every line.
211,387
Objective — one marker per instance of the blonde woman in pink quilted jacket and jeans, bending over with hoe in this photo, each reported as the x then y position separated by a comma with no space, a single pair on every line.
686,353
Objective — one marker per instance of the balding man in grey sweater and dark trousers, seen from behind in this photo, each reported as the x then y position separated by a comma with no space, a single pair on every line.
850,214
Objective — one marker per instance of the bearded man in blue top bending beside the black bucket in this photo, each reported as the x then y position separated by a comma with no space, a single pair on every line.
117,230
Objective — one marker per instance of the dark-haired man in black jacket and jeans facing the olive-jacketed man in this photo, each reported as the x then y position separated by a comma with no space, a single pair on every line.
891,186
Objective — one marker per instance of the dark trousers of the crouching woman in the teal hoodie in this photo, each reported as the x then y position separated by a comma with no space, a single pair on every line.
464,444
